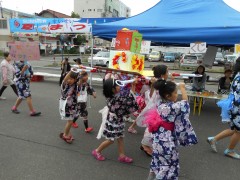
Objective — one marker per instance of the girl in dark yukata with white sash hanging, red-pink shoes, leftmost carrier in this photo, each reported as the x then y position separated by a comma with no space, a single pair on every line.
68,103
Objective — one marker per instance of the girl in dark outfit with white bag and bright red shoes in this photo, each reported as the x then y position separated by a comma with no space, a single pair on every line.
84,90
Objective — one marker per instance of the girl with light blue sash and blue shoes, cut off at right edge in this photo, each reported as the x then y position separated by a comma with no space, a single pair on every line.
230,114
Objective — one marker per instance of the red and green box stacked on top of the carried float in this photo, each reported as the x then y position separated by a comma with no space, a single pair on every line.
128,41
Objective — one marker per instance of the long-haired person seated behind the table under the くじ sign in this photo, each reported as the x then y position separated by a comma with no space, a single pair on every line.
199,82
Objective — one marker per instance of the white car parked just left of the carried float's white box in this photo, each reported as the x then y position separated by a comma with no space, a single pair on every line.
100,59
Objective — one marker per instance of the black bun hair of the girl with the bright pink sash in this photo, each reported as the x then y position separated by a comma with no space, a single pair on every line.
165,87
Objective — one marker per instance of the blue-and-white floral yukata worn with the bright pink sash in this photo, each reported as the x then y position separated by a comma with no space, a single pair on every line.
165,157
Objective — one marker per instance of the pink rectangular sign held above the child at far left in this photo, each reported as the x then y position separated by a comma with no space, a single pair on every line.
24,50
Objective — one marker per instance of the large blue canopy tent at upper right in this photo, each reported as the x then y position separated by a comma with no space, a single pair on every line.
181,22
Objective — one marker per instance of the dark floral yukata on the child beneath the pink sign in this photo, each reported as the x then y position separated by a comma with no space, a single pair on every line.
23,80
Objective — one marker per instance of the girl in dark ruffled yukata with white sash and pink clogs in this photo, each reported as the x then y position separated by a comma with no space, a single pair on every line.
118,105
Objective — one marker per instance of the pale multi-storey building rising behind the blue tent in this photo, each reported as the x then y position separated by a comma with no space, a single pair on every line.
103,8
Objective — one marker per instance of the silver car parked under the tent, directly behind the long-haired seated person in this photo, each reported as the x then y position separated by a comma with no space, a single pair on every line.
191,60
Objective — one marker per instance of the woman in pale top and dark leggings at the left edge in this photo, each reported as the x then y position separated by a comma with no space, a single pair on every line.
7,73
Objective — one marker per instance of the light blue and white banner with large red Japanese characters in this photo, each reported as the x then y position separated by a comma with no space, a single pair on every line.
49,25
